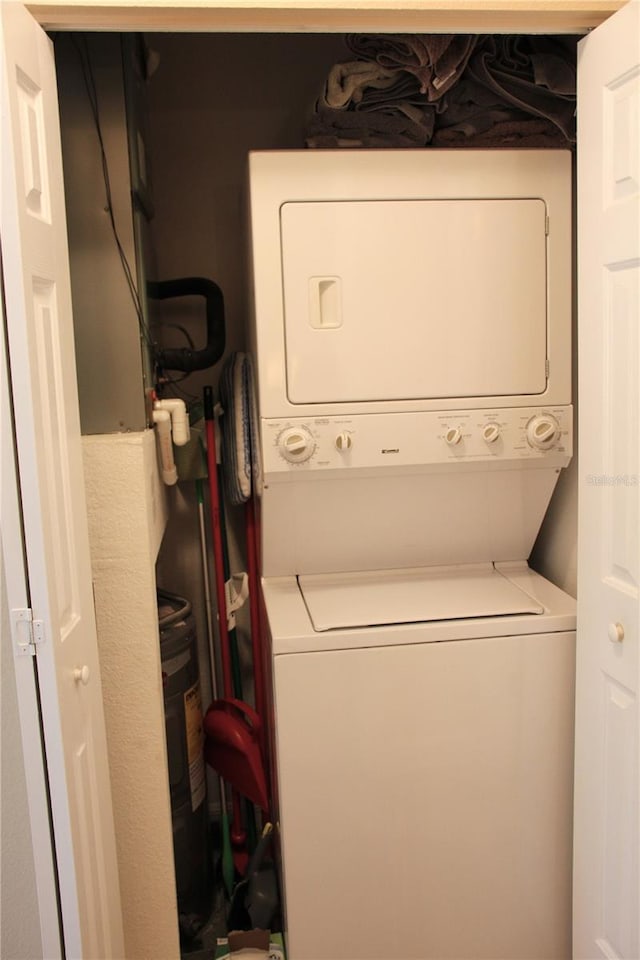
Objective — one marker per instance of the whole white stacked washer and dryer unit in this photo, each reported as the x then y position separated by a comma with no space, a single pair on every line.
412,342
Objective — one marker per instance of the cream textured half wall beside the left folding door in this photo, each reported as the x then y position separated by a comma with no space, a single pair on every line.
127,515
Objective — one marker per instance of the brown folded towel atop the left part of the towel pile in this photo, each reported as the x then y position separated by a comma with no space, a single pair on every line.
437,60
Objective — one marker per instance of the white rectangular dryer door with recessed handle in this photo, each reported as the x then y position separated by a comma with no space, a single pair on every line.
414,299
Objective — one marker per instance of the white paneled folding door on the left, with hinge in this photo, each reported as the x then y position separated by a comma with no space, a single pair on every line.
41,352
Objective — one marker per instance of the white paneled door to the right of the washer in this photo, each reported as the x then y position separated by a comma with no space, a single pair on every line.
607,812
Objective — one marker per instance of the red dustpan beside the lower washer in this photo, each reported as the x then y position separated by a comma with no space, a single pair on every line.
232,747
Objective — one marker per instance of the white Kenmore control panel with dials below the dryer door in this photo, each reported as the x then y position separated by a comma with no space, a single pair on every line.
424,440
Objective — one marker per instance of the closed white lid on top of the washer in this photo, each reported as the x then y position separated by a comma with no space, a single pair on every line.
338,601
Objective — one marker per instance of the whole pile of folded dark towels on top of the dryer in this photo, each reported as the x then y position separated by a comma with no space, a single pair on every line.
408,91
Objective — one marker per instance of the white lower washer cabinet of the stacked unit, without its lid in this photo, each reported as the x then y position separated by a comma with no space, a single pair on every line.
424,777
